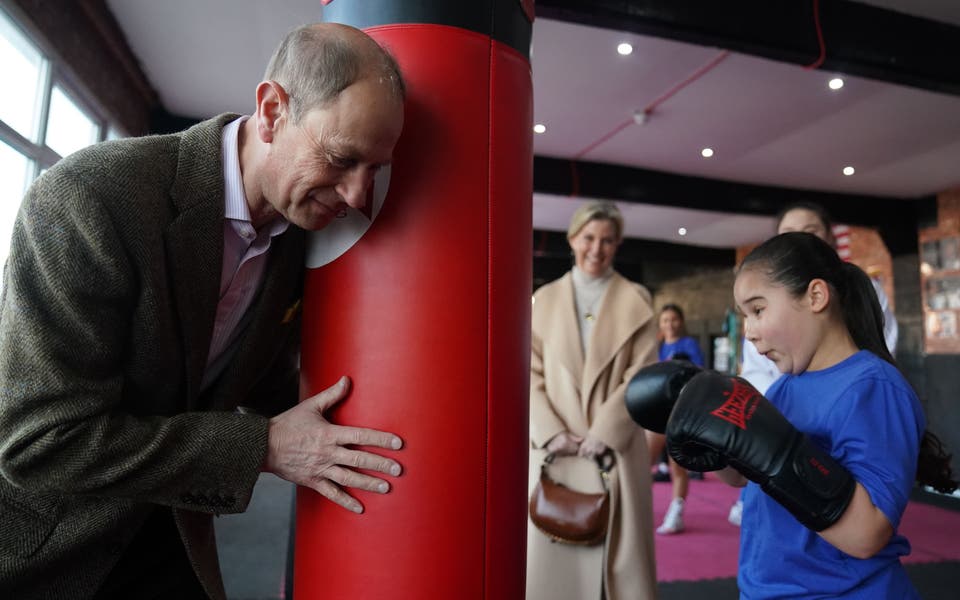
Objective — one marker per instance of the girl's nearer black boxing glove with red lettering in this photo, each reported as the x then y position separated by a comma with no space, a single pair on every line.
721,420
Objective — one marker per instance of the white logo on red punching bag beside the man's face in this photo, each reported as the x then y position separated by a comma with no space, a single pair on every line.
342,233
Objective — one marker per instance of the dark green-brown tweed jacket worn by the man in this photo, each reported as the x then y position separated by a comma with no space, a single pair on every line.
108,306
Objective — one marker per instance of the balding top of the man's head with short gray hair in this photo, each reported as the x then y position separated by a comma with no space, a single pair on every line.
314,65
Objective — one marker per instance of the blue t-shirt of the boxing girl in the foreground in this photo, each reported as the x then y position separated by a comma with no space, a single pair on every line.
866,416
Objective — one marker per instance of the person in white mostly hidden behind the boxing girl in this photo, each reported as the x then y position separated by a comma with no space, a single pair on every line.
759,370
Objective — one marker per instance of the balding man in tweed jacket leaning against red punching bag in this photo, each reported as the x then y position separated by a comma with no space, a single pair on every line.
150,318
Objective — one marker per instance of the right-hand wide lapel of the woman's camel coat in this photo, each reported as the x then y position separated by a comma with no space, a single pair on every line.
622,313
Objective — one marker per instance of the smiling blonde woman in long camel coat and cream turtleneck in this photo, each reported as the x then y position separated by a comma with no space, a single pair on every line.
592,330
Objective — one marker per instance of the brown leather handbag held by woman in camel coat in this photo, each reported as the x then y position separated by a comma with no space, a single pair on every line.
568,516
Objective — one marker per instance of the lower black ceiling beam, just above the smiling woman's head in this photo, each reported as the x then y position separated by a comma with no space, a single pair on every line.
895,218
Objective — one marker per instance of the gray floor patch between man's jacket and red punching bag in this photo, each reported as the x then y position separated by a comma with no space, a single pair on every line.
253,546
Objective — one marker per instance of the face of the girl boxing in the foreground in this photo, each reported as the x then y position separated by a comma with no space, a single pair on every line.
783,328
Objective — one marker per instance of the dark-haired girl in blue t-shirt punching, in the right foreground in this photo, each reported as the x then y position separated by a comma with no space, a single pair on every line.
830,456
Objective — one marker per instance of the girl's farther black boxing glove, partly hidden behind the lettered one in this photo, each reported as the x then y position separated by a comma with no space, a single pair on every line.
653,391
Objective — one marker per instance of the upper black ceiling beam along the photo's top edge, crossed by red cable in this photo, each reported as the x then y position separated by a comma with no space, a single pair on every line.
860,39
